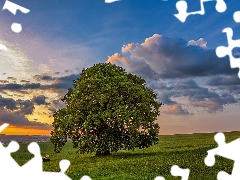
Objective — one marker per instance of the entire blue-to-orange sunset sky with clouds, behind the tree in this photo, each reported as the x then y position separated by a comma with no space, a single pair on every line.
59,38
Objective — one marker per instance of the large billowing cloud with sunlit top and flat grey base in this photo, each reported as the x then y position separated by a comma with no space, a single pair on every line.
171,58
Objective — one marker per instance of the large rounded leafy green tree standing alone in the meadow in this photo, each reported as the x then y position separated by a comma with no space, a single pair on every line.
107,110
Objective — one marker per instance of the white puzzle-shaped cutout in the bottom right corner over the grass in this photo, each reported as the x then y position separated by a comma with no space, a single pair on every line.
229,151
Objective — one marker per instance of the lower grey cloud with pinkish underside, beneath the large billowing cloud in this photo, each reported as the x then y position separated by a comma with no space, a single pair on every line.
197,96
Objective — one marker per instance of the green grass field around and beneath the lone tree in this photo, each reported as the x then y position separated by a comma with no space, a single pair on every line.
187,151
